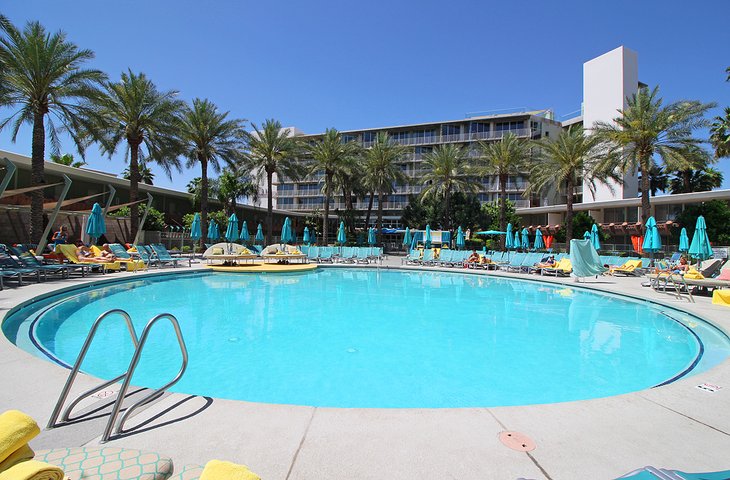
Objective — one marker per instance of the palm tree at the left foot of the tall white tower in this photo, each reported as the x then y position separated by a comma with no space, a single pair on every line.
563,163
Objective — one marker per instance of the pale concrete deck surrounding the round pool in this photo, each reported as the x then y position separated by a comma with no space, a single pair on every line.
676,426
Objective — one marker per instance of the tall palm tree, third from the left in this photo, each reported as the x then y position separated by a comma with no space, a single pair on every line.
210,137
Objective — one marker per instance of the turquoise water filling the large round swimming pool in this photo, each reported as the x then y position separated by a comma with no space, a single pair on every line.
369,338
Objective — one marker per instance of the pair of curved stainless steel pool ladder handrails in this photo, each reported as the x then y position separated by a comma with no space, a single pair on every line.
113,425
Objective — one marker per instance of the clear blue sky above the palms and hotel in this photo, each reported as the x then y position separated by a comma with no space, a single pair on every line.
348,65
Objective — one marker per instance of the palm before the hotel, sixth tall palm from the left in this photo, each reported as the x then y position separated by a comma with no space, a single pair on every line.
382,171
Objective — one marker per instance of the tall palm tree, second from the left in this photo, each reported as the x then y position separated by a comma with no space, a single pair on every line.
133,111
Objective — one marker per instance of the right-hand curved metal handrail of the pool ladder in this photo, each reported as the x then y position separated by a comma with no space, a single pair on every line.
112,425
